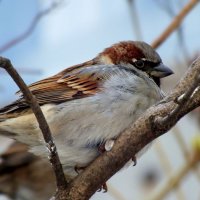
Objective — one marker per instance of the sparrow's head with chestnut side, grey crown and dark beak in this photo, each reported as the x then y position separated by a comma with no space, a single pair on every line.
139,55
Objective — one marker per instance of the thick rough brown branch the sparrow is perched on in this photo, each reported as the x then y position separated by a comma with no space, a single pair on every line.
133,139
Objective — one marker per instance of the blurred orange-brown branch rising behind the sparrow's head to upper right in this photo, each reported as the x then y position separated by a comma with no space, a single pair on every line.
175,23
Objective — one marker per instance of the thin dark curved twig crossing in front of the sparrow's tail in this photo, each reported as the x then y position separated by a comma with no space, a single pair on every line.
32,101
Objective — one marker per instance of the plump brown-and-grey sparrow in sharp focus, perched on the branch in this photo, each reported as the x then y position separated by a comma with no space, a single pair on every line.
90,103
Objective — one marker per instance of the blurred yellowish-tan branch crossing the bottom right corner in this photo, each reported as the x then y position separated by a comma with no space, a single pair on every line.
176,178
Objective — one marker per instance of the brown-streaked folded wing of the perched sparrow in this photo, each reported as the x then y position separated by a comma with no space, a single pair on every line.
73,83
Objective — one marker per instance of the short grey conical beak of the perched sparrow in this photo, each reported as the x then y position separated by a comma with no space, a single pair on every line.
161,71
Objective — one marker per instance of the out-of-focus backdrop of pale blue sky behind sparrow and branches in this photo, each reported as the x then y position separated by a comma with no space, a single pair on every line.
42,37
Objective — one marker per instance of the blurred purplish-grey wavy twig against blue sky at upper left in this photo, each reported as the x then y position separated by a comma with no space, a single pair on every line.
31,28
